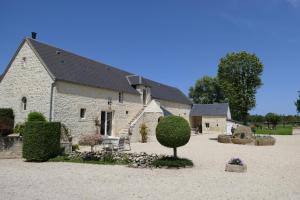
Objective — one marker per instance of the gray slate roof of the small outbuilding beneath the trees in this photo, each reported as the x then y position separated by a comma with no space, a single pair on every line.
216,109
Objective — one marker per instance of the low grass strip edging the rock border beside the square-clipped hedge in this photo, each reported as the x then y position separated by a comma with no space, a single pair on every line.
80,160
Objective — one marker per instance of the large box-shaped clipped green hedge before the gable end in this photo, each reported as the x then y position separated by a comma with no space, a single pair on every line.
41,140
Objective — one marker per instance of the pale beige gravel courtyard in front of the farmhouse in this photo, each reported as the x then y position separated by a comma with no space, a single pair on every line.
273,173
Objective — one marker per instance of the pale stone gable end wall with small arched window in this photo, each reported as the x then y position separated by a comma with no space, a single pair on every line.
28,78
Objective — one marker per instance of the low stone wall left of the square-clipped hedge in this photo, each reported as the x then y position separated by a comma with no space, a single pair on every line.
10,147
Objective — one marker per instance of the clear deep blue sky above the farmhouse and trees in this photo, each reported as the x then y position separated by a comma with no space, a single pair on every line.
174,42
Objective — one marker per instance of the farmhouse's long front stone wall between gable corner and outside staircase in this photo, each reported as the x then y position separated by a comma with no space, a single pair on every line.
70,98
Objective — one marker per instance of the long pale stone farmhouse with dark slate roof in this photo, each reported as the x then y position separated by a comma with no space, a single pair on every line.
86,95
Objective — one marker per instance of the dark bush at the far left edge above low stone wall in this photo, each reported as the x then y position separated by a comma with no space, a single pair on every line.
6,121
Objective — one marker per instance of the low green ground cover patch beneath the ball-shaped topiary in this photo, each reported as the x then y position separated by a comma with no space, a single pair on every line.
172,162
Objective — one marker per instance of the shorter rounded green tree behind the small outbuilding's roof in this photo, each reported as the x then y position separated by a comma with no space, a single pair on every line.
207,90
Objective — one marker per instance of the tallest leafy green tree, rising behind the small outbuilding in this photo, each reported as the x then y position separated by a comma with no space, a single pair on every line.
239,76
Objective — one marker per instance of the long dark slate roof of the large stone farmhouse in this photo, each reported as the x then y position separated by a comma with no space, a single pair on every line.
67,66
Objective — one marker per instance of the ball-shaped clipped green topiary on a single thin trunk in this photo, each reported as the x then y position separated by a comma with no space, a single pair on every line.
173,132
